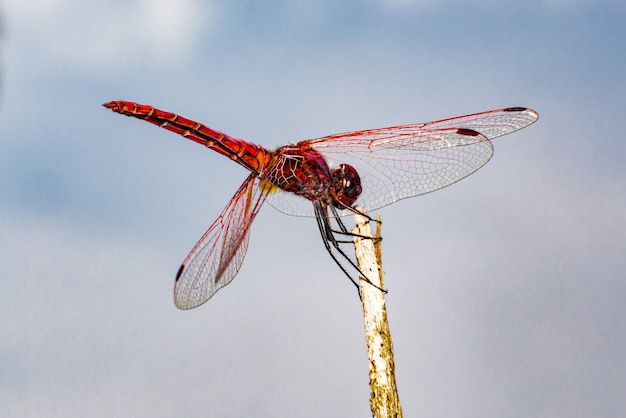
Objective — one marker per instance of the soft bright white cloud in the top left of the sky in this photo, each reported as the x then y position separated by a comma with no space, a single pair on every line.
108,35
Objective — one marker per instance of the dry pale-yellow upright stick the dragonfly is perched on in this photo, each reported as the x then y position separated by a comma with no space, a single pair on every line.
384,400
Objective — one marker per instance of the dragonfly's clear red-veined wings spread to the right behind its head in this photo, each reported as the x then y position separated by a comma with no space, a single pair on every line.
404,161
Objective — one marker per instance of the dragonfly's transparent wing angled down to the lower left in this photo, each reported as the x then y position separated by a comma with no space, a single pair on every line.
217,257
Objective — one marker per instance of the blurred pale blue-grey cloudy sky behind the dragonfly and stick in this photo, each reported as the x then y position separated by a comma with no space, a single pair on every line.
506,290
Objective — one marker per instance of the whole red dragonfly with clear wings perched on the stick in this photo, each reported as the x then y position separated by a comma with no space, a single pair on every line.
326,178
